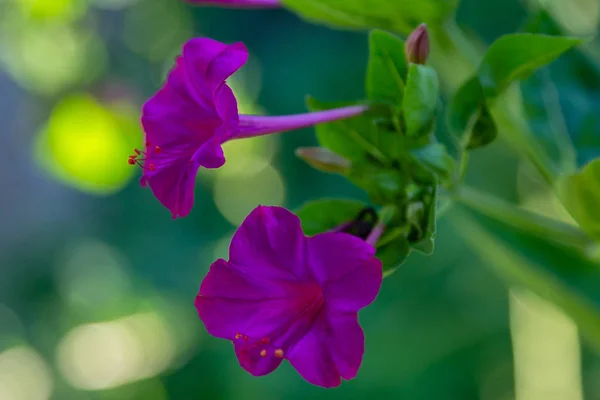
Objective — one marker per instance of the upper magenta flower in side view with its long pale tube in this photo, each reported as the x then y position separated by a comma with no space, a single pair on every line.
194,113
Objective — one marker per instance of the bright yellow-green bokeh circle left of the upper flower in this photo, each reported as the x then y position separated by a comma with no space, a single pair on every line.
86,146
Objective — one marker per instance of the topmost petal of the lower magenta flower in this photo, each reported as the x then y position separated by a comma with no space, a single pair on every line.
270,244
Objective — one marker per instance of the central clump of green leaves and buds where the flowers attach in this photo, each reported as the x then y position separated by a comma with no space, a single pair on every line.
393,155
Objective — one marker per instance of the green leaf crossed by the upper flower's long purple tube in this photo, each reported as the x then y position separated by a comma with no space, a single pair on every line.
353,138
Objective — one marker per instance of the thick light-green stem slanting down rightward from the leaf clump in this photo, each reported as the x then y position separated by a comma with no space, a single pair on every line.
507,213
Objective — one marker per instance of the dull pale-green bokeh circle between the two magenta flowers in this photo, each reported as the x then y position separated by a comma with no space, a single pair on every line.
236,195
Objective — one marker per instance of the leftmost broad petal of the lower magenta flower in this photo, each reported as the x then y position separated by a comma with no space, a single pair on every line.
231,302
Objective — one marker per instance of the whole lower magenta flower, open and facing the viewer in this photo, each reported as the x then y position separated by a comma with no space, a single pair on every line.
283,295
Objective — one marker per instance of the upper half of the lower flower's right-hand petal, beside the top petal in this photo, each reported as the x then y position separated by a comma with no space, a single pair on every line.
333,255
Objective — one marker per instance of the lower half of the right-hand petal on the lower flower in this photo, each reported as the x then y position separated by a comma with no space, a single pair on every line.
357,289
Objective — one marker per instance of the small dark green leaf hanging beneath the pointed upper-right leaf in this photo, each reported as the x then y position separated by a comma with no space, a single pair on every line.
468,119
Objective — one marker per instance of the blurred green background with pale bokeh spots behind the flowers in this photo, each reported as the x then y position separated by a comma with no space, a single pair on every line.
97,282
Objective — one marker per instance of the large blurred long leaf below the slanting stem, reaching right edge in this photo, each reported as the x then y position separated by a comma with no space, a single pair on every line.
556,273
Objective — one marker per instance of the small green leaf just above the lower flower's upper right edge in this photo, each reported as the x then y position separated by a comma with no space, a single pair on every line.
326,214
